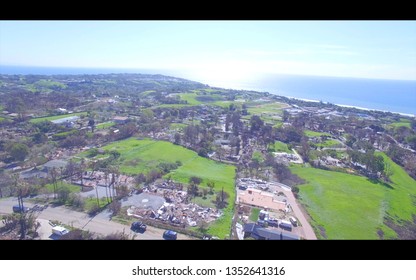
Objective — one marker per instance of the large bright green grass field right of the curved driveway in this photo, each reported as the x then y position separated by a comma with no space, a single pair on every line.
344,206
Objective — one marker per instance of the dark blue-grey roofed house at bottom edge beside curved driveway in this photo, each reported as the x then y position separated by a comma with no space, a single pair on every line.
259,233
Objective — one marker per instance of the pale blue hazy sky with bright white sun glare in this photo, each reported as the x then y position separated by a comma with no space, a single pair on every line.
216,49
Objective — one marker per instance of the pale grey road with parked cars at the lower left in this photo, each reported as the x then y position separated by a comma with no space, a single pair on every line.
98,224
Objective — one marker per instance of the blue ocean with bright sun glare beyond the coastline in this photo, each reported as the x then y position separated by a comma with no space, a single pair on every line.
397,96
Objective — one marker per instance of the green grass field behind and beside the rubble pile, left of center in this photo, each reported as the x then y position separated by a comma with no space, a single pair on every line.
143,155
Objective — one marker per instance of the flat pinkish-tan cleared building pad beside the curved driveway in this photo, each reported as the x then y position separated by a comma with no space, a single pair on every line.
258,198
